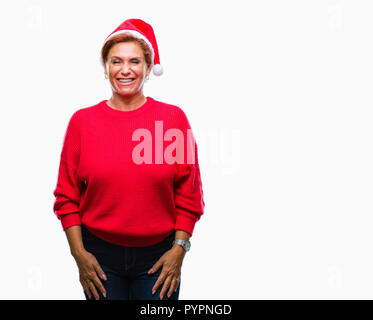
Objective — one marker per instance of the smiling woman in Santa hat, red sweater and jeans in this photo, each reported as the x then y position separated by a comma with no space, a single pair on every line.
128,194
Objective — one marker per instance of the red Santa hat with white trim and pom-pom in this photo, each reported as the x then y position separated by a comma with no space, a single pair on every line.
142,30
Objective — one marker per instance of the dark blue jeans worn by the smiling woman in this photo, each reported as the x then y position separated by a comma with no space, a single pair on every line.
126,268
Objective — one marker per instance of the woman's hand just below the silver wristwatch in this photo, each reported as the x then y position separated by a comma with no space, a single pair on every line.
171,262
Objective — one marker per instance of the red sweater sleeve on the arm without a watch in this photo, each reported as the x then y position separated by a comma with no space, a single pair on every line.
67,192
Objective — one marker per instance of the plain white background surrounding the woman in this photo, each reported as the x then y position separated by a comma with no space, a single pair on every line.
279,96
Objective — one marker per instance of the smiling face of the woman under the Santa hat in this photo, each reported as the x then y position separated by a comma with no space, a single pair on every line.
126,68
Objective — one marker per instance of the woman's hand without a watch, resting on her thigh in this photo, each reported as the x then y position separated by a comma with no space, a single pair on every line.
90,273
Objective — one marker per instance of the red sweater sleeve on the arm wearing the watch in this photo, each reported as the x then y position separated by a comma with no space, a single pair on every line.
189,201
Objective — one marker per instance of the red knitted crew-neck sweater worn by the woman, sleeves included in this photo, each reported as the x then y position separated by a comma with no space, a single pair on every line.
131,177
